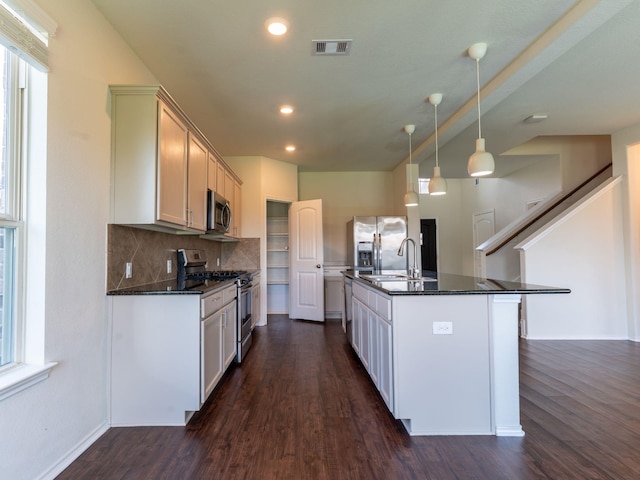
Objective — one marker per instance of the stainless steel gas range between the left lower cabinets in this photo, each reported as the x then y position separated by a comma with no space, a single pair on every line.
192,271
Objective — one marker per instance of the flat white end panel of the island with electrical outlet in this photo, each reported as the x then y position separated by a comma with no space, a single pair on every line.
442,382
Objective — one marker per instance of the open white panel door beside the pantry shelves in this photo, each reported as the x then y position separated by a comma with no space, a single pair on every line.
306,257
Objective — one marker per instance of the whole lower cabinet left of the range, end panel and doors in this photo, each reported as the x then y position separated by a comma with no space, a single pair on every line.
167,353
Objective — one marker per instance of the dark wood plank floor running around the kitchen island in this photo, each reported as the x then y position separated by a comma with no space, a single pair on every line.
302,407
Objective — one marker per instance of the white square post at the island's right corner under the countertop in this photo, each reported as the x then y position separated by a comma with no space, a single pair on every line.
505,374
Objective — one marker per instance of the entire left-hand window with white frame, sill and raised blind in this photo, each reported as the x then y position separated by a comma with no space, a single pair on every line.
24,33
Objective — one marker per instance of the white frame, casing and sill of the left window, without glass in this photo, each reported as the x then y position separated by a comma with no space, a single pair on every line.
29,366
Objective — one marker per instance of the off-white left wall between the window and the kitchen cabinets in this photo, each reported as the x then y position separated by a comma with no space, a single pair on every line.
41,426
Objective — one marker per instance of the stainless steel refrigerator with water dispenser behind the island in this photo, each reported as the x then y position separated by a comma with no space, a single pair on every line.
373,242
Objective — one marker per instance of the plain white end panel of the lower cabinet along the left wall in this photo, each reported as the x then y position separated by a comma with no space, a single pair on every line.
155,359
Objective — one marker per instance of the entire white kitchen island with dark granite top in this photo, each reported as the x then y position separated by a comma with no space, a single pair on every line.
443,352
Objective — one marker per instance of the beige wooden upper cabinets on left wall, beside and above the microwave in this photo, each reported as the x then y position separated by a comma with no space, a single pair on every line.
161,163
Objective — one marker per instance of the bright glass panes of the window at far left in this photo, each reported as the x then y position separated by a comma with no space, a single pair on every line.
10,191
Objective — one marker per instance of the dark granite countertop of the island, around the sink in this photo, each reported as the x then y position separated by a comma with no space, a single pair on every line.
449,284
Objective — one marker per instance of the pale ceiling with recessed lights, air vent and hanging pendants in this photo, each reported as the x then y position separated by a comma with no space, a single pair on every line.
576,62
